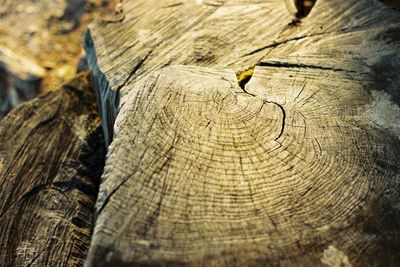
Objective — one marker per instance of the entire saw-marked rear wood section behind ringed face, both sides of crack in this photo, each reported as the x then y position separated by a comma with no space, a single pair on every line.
352,35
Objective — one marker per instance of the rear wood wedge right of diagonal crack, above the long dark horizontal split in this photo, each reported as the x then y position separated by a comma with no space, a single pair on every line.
355,37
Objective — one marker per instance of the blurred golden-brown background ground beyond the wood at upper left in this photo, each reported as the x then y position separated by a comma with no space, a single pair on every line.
40,45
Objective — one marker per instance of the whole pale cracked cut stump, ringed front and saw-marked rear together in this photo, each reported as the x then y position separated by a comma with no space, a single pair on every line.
298,168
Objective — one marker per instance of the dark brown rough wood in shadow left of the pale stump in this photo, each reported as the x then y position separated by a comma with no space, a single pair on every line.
50,163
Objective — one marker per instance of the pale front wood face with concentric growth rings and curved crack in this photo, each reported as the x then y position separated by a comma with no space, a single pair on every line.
203,173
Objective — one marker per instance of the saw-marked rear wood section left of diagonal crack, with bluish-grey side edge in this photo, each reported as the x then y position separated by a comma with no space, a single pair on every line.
154,34
